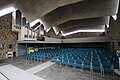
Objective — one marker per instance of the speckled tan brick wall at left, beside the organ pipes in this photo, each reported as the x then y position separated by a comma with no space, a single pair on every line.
6,35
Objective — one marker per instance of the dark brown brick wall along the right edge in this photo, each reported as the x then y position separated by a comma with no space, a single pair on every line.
114,31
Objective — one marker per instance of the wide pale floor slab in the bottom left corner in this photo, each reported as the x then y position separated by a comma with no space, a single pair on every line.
14,73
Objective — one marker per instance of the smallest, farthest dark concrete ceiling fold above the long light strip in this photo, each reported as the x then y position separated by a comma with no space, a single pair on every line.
83,23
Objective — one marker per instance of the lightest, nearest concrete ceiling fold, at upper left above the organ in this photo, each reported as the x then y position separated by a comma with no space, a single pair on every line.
34,9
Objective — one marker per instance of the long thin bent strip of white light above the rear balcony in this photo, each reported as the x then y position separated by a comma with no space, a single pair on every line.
91,30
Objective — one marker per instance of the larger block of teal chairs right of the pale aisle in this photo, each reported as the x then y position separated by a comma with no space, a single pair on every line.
88,58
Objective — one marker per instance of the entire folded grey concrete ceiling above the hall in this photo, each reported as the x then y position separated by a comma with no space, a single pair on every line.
66,15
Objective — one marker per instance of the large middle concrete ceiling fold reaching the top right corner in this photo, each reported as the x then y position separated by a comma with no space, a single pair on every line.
81,10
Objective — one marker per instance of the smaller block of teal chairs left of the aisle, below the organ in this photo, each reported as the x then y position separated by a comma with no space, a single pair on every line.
43,54
